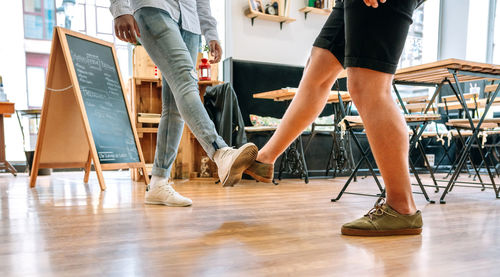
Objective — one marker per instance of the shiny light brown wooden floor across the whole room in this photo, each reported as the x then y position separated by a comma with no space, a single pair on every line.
66,228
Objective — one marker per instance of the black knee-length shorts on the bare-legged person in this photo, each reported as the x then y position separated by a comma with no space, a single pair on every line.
362,36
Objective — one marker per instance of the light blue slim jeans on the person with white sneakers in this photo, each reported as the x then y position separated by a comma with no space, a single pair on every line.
174,51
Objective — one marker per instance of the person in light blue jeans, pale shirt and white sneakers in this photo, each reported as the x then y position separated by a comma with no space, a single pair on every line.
170,31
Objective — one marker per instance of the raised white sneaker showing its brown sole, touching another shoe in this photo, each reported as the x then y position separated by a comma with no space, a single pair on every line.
232,162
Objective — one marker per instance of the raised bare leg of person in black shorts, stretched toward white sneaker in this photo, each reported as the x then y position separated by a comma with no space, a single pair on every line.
319,75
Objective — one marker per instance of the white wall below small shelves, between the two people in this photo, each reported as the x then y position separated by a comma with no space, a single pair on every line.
265,41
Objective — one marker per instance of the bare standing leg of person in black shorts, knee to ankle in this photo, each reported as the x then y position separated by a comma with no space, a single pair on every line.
386,131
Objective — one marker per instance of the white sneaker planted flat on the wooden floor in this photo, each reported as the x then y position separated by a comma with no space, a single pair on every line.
163,193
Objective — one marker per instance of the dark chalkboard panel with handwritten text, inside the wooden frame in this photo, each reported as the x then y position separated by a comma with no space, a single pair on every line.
104,101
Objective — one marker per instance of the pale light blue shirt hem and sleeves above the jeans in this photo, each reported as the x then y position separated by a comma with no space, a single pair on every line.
196,14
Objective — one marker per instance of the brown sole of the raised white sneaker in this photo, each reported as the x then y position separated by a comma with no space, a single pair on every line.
244,160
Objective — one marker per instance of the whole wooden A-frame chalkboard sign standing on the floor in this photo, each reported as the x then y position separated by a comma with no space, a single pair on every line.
85,115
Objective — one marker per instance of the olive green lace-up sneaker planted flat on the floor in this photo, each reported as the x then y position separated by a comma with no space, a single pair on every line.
382,220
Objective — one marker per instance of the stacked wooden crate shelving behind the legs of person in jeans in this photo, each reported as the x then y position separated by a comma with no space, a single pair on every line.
145,98
